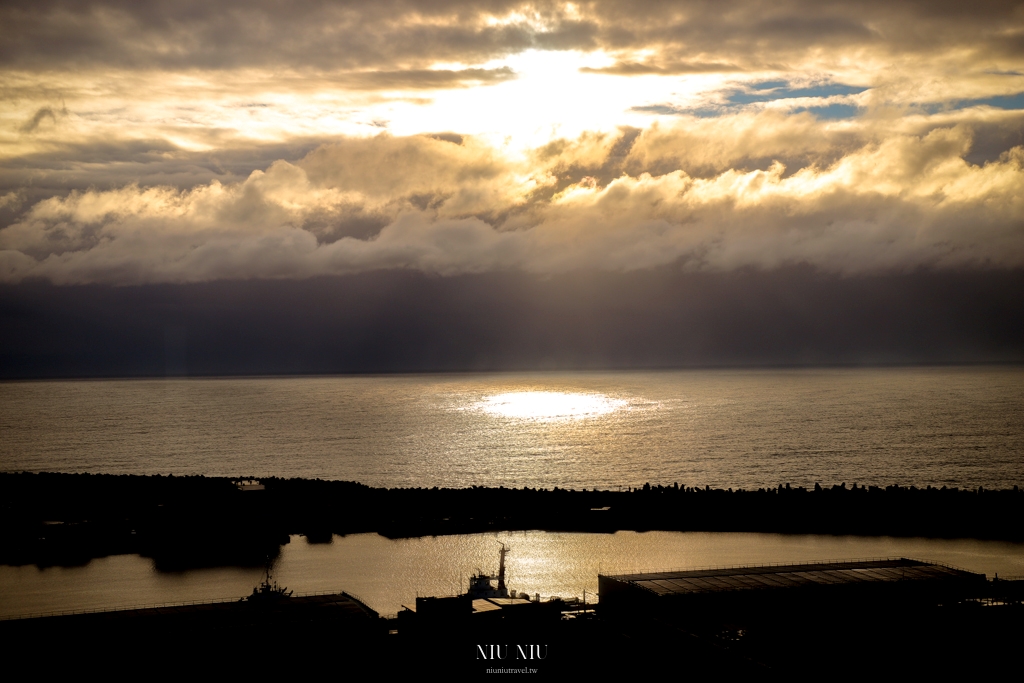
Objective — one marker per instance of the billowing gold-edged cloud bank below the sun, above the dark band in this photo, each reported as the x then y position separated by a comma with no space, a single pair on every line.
899,201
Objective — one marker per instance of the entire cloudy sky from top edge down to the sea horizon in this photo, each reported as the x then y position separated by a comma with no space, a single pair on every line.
187,150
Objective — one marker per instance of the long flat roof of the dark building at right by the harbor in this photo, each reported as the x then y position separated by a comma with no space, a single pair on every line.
793,576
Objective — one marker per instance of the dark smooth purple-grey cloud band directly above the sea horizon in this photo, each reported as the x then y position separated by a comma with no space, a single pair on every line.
407,322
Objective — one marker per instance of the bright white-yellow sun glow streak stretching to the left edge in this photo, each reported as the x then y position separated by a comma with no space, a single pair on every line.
548,96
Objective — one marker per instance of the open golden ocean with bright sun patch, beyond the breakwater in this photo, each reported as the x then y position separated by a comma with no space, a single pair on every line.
724,429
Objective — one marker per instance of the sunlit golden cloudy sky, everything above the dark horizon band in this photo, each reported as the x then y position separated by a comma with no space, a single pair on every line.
452,139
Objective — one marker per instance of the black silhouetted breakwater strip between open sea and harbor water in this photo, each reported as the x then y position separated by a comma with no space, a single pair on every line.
67,520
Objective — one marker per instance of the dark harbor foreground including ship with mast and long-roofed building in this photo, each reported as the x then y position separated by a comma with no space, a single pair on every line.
743,621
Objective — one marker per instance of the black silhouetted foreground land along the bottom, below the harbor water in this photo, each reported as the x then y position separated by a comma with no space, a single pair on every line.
967,626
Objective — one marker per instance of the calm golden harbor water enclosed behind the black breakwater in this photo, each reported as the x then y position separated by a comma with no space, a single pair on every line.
390,574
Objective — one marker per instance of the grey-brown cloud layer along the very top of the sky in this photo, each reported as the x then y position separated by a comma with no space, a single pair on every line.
173,34
